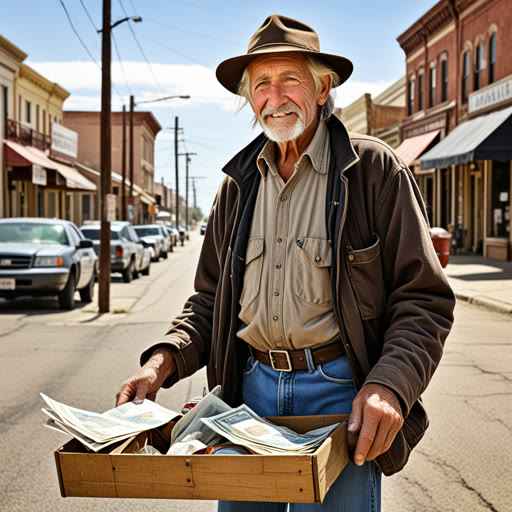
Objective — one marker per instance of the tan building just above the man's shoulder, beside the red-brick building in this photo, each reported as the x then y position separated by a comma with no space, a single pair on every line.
380,117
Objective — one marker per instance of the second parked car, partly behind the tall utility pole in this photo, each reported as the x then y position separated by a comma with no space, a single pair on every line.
129,255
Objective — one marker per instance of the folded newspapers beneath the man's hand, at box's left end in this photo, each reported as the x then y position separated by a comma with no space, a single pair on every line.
97,431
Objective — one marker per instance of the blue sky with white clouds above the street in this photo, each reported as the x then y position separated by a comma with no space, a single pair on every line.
184,41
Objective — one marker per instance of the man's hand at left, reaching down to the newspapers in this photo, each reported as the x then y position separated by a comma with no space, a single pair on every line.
149,379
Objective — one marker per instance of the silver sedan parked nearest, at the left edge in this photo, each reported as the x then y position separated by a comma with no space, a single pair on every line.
41,256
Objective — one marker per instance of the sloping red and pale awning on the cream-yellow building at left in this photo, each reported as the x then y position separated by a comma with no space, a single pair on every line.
18,155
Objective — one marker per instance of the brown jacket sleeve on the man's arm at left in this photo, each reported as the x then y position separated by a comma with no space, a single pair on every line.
189,334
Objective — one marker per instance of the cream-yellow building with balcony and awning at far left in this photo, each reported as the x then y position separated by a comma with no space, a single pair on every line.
38,176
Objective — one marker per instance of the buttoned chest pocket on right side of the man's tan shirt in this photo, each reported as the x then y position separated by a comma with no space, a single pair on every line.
313,264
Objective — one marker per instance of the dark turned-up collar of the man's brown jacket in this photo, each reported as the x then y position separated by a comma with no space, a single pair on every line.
243,165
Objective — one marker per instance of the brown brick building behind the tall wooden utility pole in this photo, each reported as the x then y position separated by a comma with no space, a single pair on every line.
142,202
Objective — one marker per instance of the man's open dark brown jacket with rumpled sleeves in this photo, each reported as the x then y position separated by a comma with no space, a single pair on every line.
393,304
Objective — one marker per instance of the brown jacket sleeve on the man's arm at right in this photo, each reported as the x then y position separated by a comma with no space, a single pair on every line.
420,303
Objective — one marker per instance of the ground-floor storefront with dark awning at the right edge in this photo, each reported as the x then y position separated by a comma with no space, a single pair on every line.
478,153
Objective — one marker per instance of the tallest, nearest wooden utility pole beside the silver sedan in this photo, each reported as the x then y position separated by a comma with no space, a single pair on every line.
105,162
